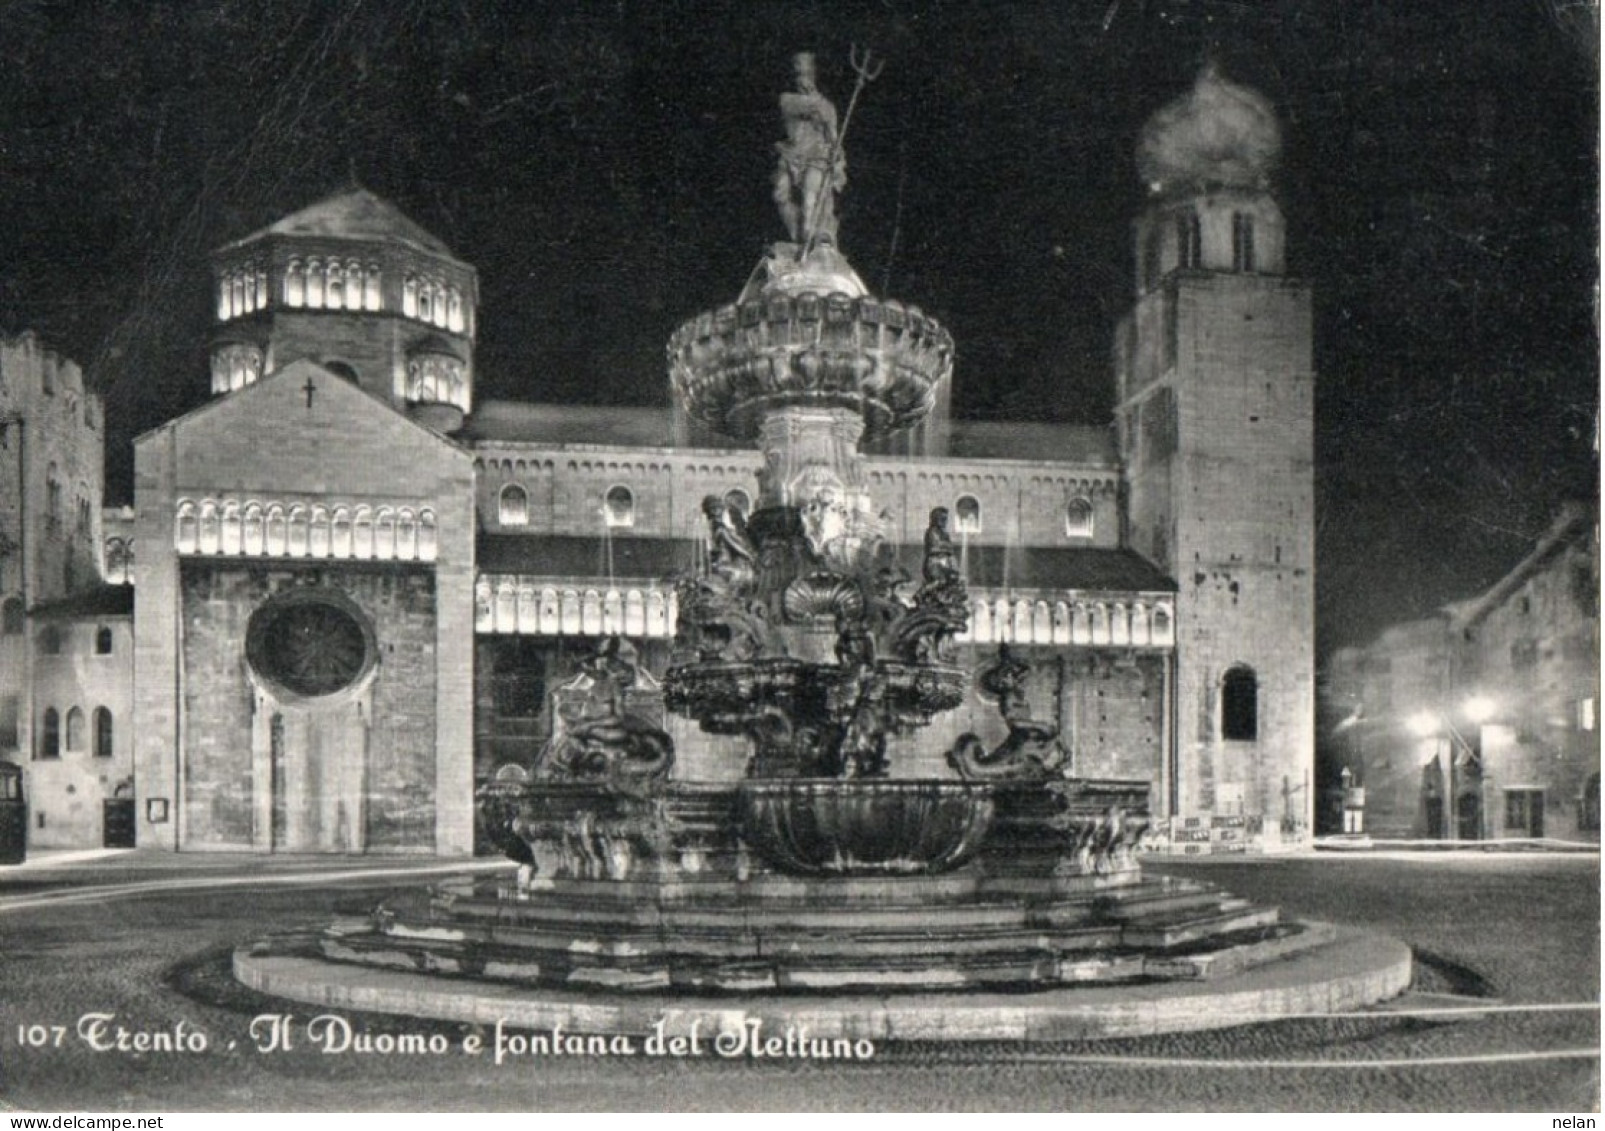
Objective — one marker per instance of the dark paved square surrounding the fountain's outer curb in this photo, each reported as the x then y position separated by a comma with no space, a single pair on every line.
1521,931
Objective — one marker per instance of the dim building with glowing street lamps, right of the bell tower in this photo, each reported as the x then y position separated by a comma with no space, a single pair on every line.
1482,721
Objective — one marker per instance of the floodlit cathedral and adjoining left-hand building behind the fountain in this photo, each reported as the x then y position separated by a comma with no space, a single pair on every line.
357,585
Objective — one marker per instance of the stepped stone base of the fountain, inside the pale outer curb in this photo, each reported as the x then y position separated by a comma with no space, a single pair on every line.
596,934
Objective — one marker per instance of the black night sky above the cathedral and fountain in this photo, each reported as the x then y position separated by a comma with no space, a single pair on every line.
606,168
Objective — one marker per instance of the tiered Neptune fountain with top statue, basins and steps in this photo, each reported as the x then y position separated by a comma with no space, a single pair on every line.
819,865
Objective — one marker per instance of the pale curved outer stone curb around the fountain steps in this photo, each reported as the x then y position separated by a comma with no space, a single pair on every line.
1359,968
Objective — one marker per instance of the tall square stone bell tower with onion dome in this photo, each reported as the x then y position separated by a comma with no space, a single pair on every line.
1216,405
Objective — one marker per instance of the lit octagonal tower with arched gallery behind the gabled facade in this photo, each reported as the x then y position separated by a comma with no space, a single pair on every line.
364,291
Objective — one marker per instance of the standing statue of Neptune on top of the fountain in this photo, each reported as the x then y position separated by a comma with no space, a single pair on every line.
813,168
